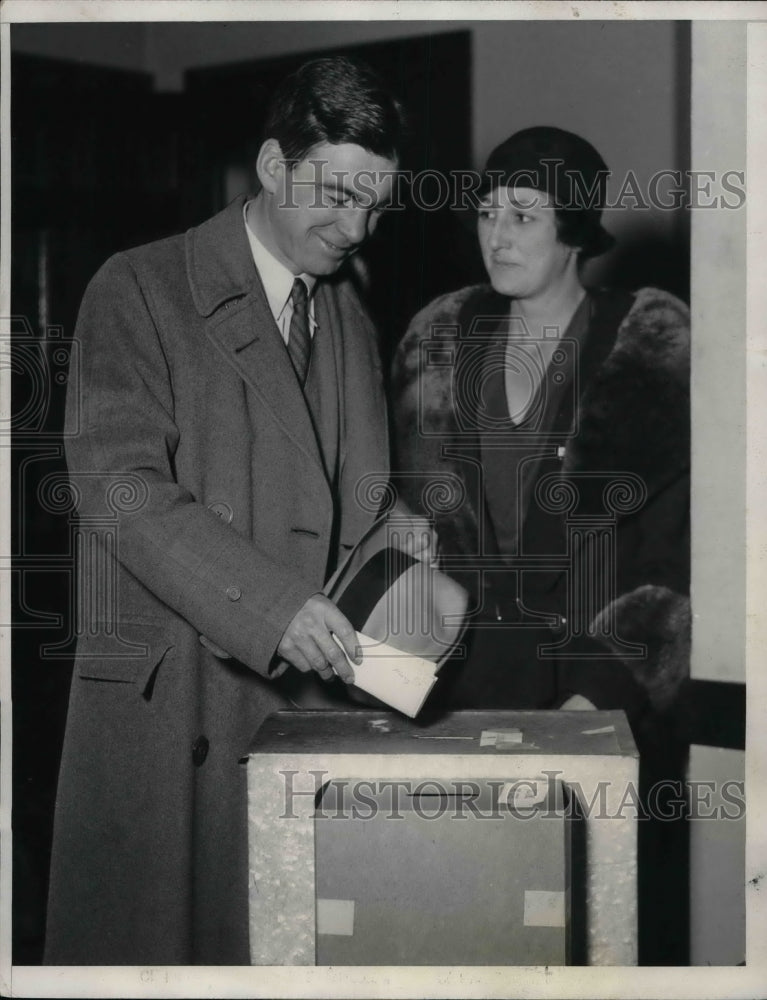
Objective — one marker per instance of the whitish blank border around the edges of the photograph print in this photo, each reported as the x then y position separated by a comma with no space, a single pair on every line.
481,982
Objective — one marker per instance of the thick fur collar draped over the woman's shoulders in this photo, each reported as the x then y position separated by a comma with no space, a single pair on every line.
633,412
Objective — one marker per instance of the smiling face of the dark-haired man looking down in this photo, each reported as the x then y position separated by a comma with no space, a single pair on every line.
324,208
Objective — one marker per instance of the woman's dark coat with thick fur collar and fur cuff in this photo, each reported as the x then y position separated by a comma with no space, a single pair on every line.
572,531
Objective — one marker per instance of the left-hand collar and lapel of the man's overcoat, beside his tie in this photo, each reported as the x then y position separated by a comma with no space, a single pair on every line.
227,291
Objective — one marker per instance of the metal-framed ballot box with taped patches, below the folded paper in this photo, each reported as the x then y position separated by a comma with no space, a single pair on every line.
480,838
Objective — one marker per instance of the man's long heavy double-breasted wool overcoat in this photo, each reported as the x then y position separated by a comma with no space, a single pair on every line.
205,511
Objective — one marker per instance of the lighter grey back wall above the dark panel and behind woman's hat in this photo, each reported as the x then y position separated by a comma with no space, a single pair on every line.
562,71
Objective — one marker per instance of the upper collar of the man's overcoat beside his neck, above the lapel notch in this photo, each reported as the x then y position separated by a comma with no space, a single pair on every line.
218,259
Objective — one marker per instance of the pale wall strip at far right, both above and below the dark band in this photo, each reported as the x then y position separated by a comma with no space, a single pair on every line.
717,847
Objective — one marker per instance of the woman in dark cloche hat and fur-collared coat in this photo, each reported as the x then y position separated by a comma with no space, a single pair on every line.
558,420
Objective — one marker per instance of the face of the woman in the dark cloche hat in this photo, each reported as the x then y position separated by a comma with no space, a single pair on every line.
520,246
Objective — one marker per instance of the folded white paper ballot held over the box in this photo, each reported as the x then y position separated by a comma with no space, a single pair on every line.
396,678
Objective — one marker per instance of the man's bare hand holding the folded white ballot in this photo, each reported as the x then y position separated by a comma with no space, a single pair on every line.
308,644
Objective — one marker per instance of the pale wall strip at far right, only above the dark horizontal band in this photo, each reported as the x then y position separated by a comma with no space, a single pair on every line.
719,360
